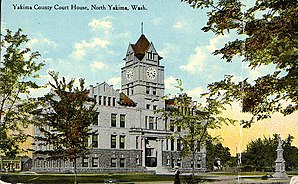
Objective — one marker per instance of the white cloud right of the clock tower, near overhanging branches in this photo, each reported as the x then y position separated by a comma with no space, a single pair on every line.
195,61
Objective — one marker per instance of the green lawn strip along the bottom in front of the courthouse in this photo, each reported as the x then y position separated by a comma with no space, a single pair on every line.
44,178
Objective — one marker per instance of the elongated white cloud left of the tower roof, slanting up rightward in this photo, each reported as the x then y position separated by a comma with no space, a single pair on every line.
82,47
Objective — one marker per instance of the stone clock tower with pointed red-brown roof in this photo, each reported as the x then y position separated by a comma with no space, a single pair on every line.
142,77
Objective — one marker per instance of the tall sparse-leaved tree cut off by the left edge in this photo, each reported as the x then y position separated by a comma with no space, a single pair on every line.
16,80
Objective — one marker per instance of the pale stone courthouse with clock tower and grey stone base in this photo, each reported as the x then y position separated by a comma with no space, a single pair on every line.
130,136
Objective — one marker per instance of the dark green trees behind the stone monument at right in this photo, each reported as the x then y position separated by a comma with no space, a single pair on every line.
260,154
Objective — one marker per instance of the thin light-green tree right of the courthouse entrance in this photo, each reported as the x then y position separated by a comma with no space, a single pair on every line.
193,119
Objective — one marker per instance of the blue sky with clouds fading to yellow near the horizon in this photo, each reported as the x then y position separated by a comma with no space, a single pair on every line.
91,44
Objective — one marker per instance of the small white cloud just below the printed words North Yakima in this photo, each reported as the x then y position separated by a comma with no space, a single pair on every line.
101,24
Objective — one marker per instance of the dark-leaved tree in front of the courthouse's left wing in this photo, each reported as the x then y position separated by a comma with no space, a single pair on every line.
65,120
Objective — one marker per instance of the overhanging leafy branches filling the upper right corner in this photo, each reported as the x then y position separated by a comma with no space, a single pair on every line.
268,36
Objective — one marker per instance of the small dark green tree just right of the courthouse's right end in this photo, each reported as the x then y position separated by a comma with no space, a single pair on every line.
215,150
